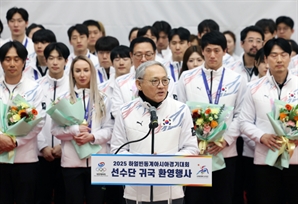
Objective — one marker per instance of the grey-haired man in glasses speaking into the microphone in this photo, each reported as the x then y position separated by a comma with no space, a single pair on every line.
172,130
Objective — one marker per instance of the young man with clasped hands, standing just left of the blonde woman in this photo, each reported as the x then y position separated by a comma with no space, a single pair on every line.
55,86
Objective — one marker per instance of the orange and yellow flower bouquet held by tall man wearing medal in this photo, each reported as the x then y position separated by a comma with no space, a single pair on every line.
209,125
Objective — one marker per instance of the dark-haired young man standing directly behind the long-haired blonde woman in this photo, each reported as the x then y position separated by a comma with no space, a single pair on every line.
78,37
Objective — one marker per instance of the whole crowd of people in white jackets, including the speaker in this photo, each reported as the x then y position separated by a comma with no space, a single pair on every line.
163,67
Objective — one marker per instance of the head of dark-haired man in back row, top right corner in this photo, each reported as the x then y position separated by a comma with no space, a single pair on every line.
284,27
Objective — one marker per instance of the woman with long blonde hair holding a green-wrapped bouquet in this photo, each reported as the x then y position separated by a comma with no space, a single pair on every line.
76,171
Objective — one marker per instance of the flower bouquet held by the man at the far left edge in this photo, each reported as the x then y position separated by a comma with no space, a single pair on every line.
17,120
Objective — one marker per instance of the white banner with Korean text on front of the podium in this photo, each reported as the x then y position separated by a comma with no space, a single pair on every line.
110,169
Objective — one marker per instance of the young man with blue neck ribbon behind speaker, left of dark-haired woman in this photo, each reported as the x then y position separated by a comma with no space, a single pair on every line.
178,43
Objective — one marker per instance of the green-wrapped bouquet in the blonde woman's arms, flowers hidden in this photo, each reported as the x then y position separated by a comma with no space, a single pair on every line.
64,113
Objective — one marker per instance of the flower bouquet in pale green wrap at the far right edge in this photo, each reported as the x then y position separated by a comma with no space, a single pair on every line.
284,120
